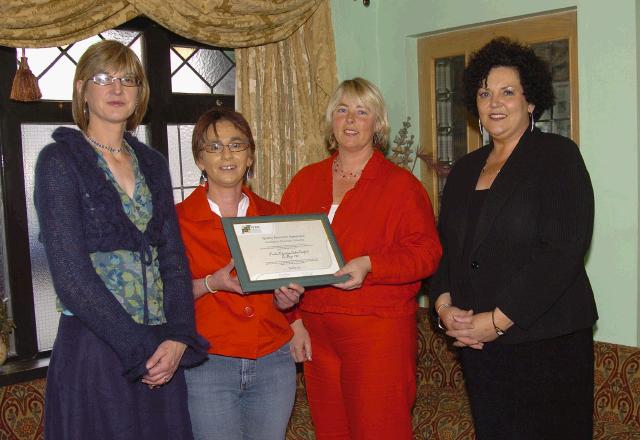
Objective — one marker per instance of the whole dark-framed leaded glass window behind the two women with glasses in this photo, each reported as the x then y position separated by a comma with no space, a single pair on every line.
201,76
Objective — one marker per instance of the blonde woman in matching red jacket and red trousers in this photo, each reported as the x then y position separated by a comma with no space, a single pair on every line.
361,381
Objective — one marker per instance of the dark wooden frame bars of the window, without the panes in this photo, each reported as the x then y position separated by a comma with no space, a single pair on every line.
165,108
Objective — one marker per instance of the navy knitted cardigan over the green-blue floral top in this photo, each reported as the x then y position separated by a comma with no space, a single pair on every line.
80,212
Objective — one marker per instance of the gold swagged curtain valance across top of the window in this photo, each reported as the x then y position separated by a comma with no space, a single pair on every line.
226,23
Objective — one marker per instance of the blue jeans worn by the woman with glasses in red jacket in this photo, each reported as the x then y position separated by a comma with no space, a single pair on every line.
242,399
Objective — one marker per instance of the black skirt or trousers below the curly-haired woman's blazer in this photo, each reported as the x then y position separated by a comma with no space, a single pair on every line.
540,390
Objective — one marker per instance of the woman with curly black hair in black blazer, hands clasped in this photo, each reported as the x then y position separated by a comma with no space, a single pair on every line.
515,223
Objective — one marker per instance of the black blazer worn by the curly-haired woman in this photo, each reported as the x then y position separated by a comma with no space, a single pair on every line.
532,236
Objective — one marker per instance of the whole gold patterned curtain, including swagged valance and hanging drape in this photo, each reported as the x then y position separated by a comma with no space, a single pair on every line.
285,70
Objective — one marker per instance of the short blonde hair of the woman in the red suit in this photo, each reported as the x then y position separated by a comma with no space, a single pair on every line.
369,96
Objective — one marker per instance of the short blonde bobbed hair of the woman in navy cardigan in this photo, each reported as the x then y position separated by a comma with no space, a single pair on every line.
103,57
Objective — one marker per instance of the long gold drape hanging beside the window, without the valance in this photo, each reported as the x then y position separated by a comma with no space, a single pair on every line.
283,89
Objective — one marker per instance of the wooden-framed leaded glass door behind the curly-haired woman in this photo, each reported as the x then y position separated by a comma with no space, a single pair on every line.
447,130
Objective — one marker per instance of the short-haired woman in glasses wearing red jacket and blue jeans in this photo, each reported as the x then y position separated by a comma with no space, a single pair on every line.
246,388
